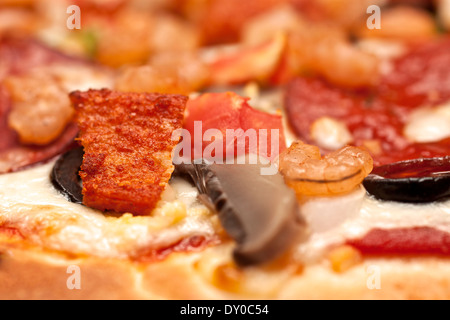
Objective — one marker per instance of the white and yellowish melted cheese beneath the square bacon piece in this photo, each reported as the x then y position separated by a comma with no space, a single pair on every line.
30,203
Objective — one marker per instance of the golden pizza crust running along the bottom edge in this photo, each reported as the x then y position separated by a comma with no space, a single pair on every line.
29,273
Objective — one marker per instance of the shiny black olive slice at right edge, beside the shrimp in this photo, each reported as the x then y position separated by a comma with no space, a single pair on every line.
413,181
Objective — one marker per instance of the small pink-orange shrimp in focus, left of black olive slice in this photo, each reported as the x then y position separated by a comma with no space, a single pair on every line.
337,173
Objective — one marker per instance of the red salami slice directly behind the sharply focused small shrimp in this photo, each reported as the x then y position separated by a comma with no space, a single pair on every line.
367,117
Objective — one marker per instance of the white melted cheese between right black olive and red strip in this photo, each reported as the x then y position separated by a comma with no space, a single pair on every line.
369,214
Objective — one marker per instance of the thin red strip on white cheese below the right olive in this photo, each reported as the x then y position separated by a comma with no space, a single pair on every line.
404,241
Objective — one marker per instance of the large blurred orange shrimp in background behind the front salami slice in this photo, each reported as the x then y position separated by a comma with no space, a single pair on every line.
314,48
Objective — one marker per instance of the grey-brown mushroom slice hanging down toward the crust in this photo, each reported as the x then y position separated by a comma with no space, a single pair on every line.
258,211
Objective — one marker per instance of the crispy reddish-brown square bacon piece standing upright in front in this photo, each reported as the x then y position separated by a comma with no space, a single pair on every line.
127,140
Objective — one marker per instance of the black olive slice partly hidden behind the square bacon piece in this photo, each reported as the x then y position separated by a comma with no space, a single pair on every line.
65,177
